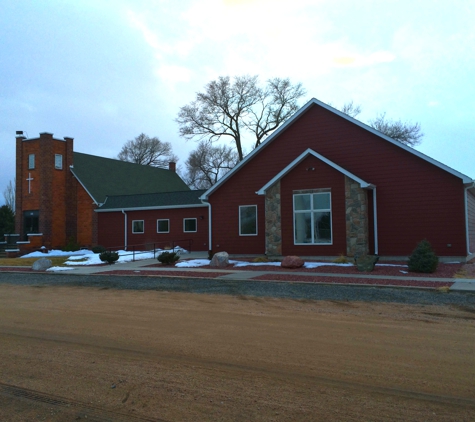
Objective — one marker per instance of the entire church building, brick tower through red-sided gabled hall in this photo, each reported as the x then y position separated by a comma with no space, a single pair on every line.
322,185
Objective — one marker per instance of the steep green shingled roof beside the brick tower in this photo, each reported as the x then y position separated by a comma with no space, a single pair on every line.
105,176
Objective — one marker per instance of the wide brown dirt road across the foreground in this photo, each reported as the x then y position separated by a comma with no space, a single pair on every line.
72,353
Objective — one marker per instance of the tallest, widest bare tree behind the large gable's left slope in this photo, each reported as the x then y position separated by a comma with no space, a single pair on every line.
229,108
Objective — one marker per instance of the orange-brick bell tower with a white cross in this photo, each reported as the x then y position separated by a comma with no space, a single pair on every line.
45,190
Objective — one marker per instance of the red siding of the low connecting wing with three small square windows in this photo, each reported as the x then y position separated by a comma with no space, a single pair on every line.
111,228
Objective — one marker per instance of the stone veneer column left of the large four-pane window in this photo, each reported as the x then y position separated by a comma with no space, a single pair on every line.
273,221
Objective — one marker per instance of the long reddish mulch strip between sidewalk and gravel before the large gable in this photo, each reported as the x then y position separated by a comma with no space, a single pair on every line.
350,280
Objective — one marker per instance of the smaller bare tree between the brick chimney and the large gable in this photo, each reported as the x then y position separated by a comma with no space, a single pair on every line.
208,163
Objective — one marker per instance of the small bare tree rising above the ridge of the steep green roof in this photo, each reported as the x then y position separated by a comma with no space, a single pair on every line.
147,151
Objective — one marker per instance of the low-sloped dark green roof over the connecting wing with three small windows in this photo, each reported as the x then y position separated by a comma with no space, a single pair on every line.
153,200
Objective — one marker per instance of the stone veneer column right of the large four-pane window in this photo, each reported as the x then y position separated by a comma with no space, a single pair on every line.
356,205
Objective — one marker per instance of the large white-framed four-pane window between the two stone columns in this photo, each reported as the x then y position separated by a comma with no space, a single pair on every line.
313,218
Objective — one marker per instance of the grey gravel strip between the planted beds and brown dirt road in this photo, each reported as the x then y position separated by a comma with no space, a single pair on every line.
300,291
